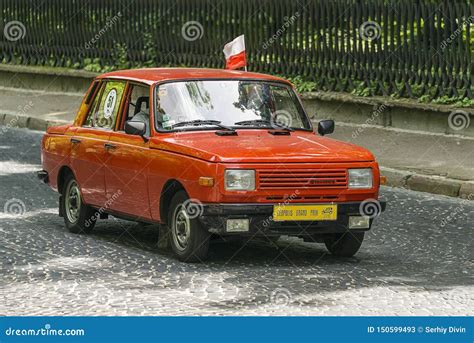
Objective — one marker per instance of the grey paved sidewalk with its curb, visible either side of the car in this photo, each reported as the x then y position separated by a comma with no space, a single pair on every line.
436,163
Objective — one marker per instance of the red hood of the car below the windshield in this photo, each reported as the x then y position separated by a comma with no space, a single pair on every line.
251,146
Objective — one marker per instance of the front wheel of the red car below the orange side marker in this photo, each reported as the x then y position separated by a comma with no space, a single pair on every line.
188,240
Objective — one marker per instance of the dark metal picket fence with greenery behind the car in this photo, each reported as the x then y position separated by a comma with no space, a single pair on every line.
409,48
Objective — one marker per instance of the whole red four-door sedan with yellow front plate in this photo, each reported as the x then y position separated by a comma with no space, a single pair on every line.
208,152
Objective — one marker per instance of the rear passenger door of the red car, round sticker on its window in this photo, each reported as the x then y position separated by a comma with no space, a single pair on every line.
89,143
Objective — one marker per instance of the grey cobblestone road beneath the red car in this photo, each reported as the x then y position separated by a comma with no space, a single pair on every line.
417,260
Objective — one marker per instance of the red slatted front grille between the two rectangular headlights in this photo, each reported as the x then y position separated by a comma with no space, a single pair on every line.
302,179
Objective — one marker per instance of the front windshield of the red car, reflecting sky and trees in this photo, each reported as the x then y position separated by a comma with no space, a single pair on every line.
202,104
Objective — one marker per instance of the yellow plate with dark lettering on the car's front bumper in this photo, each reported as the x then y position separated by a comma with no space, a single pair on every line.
304,212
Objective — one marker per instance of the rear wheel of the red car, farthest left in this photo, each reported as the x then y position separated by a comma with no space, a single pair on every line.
78,217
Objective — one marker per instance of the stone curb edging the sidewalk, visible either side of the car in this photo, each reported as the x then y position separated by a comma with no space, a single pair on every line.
395,177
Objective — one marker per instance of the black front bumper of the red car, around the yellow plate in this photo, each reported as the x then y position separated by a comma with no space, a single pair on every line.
214,217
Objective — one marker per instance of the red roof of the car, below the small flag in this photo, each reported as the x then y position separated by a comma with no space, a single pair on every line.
151,76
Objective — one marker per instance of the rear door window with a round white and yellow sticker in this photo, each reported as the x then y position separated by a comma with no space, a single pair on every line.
104,109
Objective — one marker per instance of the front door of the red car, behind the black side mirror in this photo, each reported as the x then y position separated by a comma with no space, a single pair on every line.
126,174
